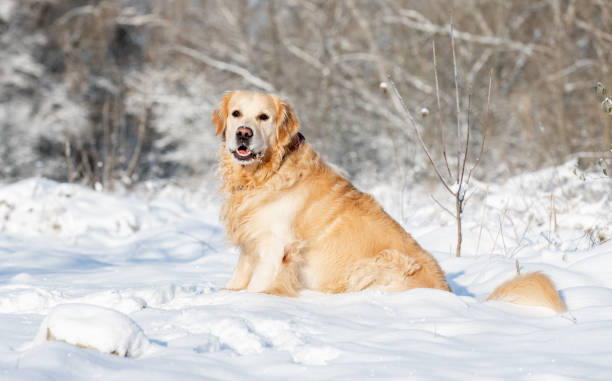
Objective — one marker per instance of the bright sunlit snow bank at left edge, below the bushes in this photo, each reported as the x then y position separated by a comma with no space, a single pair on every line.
41,207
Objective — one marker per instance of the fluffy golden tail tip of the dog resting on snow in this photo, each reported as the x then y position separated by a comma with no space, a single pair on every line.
533,289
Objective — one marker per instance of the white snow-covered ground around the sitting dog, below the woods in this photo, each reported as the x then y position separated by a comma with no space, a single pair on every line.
142,276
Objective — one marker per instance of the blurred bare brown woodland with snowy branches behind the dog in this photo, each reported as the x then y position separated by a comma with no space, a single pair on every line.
113,93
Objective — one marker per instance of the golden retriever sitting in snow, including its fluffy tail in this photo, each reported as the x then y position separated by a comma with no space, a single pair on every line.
300,225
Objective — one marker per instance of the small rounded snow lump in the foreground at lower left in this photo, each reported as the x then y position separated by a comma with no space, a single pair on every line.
94,327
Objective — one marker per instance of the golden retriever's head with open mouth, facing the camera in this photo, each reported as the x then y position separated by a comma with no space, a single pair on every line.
254,125
